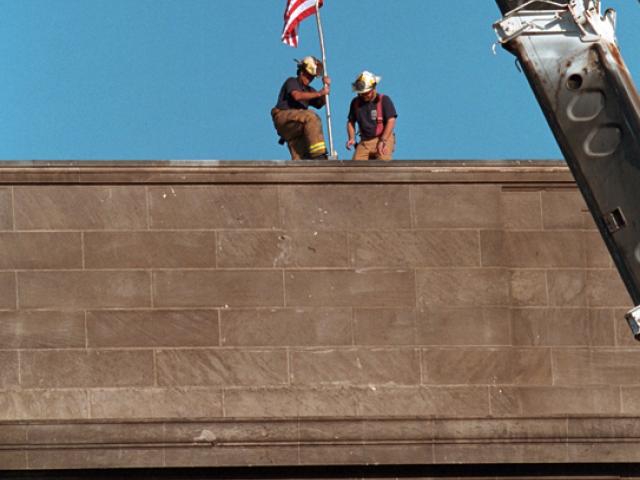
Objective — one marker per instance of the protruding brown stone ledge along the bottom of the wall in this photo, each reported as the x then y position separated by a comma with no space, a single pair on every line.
327,441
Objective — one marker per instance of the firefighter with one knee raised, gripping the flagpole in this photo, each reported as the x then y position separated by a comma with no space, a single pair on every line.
294,122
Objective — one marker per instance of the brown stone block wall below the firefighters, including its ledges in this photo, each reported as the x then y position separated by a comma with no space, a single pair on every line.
196,314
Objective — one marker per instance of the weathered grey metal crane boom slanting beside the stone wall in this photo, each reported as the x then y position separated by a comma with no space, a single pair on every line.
569,53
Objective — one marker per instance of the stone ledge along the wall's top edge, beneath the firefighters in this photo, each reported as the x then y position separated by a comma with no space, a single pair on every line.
211,172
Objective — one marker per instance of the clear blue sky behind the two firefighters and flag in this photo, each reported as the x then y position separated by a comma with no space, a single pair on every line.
196,79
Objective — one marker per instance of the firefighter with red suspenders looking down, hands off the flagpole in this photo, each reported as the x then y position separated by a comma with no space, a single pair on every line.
376,116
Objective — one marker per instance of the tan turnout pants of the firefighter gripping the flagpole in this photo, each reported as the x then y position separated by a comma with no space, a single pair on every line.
302,130
